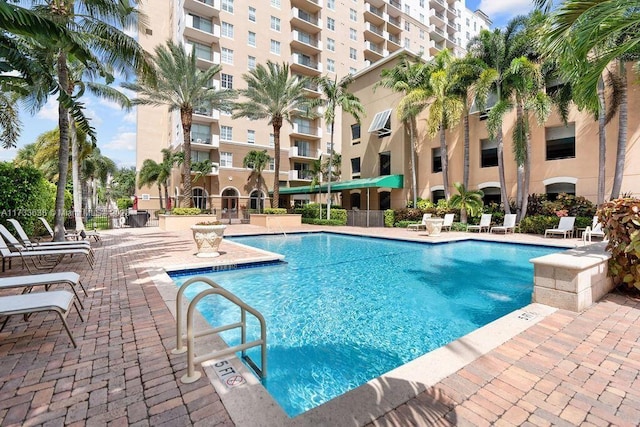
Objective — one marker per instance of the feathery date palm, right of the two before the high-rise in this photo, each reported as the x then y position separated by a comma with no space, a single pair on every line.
274,95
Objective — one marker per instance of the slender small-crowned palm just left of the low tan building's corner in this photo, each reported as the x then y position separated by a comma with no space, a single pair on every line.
336,95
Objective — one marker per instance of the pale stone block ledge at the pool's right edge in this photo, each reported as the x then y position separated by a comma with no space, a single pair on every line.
574,279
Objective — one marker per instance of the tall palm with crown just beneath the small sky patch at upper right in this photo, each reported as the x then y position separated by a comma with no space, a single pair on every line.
497,49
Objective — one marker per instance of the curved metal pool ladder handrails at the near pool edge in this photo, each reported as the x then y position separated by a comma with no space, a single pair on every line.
192,375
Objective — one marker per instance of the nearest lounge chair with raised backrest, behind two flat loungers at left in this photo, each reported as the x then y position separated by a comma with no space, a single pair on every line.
41,259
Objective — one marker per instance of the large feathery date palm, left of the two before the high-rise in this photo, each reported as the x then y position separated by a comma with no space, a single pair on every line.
180,85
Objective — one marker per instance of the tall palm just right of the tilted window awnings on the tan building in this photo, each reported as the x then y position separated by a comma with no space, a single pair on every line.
406,76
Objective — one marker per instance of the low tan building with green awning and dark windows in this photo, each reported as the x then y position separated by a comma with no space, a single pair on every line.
377,160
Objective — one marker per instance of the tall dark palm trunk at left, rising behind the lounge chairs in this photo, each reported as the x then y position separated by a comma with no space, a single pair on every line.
63,152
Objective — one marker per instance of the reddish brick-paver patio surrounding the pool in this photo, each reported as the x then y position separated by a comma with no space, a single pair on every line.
566,369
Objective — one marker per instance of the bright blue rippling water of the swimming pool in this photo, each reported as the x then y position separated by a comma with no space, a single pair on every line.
344,310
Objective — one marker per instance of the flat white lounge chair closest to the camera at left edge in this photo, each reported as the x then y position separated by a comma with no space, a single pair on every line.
58,301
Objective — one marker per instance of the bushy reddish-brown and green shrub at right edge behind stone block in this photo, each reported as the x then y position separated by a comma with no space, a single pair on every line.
622,225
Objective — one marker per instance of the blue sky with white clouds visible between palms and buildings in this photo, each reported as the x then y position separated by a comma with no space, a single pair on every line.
116,129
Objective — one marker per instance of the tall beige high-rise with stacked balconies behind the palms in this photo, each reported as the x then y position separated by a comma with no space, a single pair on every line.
316,37
